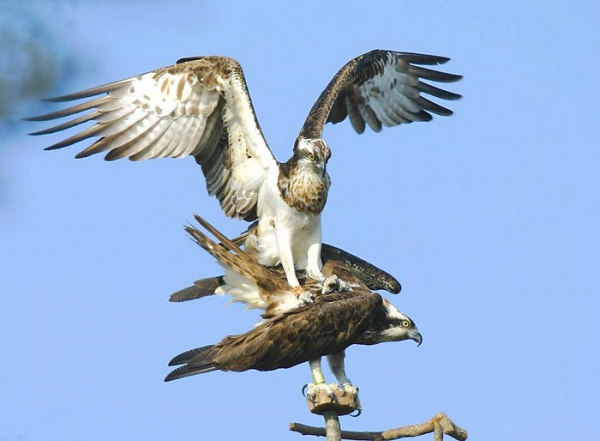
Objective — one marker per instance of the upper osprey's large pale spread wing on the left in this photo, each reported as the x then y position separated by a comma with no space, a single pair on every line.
198,107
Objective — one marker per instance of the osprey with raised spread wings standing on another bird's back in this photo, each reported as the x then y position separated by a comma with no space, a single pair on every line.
201,107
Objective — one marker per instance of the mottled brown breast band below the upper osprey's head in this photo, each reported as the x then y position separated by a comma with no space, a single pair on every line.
303,187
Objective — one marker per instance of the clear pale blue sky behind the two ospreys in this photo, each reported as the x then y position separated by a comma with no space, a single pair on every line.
489,219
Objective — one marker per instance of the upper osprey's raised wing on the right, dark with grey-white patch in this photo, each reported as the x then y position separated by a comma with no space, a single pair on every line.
381,88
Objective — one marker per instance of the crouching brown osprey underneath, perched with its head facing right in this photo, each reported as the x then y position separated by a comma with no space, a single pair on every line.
292,332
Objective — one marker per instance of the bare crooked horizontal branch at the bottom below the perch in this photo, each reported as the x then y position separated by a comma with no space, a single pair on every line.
439,424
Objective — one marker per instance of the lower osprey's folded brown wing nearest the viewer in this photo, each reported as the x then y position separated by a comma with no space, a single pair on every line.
328,325
